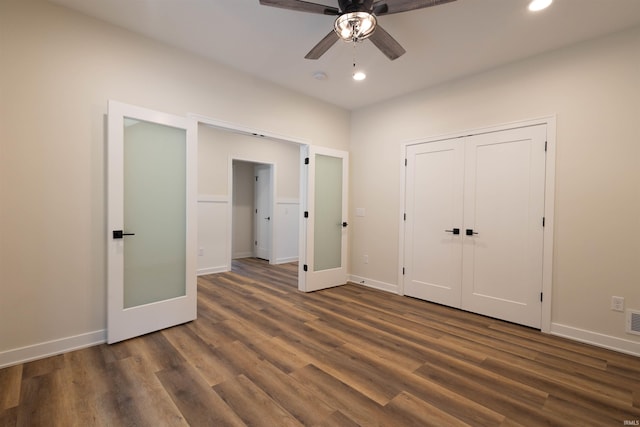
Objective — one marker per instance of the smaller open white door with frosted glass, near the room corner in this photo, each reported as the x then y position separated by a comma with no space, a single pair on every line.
324,229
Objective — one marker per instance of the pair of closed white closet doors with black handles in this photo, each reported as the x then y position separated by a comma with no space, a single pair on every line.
474,223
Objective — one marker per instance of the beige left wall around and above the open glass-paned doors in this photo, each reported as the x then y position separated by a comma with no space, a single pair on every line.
57,71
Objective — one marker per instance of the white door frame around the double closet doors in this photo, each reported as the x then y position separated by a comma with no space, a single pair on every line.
549,199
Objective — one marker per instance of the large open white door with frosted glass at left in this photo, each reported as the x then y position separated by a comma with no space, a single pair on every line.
151,219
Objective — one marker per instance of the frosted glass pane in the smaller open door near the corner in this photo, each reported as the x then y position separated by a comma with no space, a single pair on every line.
327,243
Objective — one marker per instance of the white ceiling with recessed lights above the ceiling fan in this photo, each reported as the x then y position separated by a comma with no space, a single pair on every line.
443,43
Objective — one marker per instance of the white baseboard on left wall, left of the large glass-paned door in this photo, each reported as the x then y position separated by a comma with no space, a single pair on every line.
51,348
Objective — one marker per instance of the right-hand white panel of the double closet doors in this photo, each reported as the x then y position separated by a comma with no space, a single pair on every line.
503,224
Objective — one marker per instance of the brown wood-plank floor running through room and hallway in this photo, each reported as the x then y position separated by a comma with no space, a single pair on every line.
263,354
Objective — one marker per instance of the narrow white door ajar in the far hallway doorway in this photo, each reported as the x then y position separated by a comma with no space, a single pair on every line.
263,214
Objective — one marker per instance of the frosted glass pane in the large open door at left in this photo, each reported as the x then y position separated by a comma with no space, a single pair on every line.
155,211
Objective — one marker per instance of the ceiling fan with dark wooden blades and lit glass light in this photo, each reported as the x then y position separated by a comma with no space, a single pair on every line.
356,21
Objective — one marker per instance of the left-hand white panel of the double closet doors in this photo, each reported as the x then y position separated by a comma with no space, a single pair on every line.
434,195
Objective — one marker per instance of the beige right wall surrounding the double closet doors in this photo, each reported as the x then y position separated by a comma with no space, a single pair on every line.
594,90
